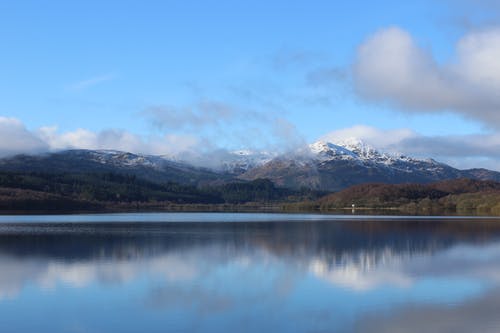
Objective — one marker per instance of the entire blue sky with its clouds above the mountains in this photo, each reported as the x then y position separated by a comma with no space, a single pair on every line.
168,76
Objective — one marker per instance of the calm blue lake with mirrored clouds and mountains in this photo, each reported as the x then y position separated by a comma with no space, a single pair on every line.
248,273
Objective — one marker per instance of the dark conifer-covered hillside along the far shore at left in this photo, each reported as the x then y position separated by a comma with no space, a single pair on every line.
94,191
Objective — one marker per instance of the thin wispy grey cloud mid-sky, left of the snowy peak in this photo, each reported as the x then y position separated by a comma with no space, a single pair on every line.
237,127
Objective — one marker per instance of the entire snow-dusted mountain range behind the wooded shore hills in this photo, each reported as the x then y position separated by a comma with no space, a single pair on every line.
322,165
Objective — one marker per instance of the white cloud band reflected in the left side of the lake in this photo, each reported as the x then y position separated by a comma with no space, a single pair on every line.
47,273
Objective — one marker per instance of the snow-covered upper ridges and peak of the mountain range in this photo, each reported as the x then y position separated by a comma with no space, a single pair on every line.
351,150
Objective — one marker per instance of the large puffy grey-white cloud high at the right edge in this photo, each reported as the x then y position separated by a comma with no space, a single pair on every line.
391,67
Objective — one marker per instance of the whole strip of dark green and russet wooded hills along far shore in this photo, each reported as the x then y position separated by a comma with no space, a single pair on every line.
33,191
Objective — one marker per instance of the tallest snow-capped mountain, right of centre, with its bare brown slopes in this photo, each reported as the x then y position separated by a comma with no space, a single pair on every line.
333,167
